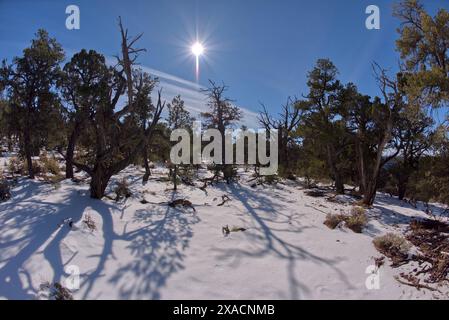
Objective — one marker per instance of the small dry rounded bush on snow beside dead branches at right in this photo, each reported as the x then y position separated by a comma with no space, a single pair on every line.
393,246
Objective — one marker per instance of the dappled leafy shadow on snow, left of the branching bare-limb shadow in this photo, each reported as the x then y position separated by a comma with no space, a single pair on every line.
158,249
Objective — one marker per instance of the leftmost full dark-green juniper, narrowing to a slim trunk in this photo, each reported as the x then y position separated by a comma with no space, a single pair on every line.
30,83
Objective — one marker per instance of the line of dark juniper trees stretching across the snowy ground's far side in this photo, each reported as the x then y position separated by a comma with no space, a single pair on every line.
101,118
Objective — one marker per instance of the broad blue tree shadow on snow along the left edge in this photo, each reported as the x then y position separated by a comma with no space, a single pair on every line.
29,224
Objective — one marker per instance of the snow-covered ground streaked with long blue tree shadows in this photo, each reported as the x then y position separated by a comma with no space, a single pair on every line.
152,251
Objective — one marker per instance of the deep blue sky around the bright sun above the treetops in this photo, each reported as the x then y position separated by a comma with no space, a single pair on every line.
262,49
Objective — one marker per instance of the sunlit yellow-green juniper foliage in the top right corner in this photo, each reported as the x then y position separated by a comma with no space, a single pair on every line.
424,49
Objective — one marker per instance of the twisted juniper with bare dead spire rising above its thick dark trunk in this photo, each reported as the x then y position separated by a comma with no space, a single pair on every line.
115,141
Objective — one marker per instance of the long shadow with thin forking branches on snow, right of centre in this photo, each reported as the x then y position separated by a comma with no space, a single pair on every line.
272,243
